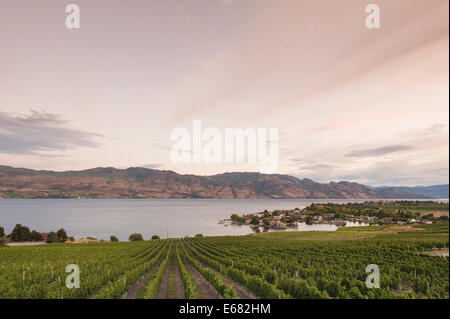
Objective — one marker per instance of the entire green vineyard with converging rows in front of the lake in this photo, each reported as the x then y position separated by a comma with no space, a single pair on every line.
272,265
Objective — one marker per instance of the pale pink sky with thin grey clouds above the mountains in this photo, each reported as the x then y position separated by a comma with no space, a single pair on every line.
350,103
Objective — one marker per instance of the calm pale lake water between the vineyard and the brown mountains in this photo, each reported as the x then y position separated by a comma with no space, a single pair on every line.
101,218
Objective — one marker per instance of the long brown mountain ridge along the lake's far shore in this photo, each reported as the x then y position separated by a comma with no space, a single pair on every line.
139,182
